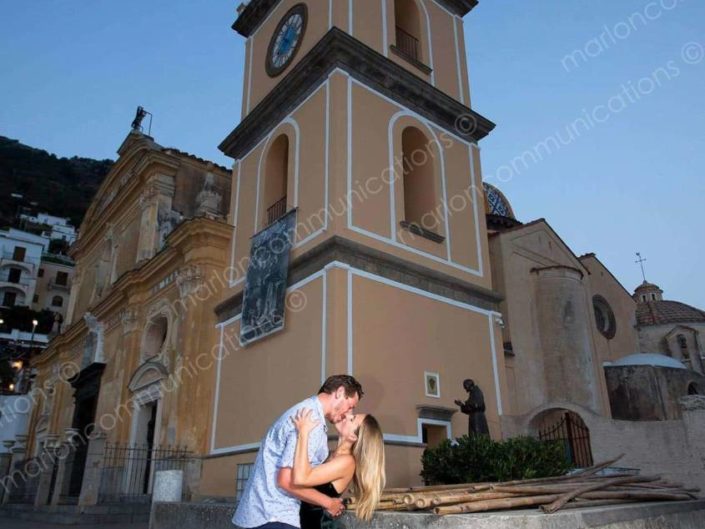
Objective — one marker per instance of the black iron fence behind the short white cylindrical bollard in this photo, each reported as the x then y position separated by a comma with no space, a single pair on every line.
128,471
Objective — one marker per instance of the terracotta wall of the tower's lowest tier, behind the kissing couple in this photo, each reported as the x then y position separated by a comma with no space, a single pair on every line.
389,339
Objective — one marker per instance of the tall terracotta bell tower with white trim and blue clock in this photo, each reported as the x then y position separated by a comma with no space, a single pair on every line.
356,114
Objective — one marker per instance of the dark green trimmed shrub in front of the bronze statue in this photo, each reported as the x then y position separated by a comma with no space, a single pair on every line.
474,459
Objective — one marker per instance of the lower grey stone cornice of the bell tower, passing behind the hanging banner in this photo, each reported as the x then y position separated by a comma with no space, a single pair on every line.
362,257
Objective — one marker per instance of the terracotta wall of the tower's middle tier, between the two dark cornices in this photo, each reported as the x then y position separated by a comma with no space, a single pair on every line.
325,170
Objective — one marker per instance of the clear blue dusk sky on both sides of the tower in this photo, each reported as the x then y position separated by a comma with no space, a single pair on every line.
622,116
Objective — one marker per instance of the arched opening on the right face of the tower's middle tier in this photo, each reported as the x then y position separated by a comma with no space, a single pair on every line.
419,180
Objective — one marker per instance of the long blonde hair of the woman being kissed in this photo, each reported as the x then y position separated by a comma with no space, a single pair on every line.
370,476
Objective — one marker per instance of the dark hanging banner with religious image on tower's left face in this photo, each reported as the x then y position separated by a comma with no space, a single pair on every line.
265,283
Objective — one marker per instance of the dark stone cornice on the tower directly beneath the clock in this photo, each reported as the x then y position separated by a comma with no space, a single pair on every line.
337,49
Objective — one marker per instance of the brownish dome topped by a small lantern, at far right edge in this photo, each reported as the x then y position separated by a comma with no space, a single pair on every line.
652,309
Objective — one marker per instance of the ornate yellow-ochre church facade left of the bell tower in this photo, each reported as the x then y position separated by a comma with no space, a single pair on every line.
139,332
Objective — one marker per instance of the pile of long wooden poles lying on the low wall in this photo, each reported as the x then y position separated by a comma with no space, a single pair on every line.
581,489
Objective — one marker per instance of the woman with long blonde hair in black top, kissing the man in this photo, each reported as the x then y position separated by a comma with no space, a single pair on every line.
358,460
